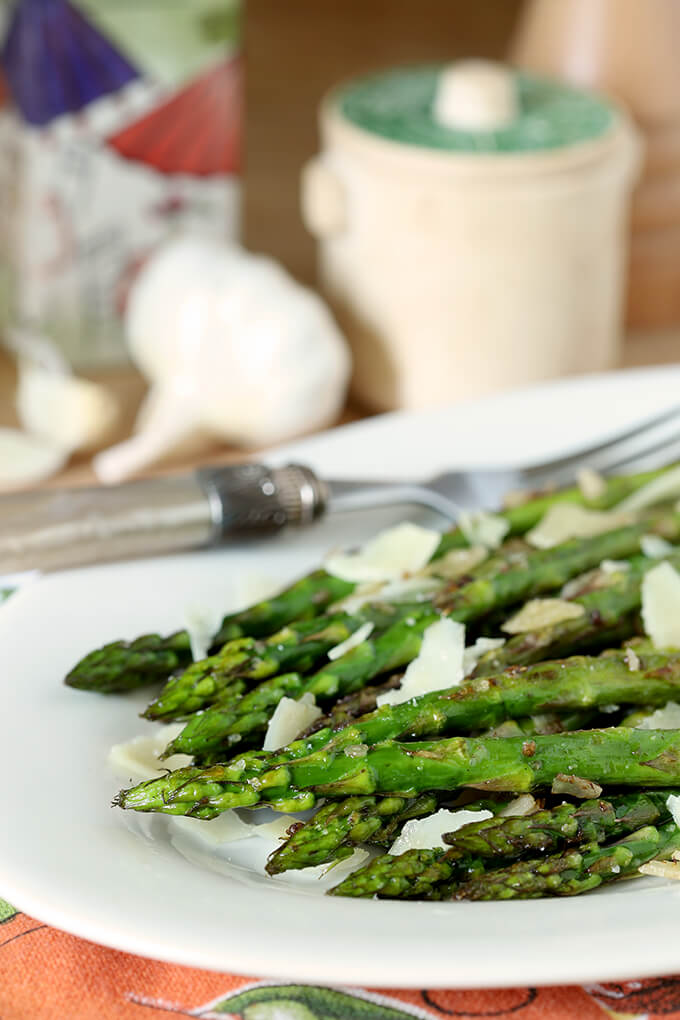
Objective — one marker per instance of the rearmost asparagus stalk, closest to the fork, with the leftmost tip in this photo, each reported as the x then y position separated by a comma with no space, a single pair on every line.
125,666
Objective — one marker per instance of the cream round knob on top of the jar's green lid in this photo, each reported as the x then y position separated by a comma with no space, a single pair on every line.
476,95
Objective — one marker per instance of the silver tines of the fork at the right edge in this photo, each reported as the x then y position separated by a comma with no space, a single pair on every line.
651,438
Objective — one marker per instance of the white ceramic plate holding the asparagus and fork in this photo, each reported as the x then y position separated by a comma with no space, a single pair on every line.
70,859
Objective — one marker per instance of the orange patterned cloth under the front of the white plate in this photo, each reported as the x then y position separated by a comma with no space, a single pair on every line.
48,975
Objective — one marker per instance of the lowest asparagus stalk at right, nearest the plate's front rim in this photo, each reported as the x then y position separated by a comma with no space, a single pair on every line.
572,873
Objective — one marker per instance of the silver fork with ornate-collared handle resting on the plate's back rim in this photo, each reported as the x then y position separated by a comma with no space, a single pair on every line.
50,530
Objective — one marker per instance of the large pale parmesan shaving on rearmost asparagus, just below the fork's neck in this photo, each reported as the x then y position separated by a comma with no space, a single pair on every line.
404,549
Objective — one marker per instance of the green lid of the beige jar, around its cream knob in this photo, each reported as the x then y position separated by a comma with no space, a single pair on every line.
398,106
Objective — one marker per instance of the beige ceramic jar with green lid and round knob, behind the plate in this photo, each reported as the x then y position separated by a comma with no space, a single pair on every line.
473,227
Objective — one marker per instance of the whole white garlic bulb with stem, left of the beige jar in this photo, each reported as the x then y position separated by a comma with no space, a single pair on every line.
233,347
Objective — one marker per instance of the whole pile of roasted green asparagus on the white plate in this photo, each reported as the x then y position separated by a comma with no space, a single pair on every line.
551,712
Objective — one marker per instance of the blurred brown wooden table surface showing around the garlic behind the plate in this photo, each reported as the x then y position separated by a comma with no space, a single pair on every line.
661,348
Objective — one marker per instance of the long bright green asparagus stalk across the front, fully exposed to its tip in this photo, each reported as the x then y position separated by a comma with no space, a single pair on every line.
612,756
